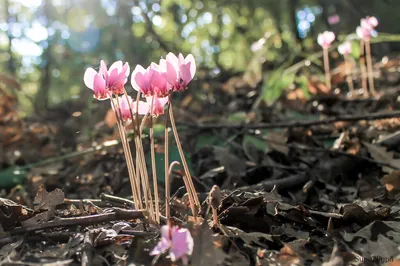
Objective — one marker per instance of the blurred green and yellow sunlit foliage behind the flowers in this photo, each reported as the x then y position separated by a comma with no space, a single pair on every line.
47,44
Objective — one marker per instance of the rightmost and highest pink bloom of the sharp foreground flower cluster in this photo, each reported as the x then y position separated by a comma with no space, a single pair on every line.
178,71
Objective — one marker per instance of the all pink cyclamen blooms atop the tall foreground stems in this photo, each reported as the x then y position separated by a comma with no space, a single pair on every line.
156,82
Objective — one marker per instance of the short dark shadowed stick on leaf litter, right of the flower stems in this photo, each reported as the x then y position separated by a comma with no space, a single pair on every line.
282,183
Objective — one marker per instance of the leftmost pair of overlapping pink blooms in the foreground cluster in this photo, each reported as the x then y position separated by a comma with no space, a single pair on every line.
104,81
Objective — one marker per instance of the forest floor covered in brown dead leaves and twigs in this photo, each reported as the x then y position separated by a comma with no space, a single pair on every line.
303,182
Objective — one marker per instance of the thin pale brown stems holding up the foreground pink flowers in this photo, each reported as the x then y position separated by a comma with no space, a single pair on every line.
137,168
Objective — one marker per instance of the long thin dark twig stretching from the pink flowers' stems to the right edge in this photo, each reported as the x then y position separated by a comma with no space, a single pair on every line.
292,124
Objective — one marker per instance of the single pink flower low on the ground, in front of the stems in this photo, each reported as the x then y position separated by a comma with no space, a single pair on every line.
177,240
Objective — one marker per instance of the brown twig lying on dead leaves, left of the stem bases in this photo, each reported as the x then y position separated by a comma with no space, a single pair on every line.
118,214
